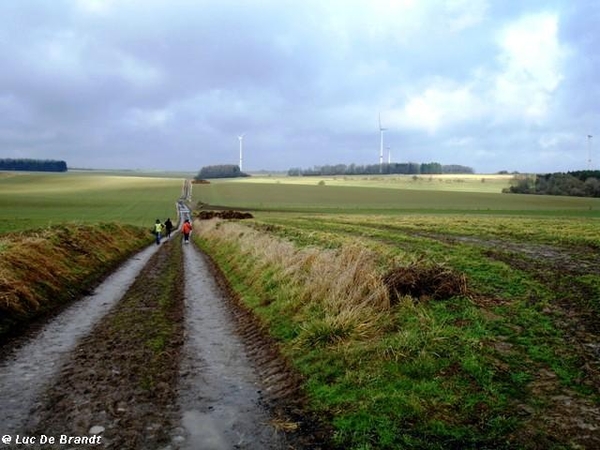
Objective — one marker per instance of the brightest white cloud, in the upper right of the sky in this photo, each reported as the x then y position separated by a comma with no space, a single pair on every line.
521,88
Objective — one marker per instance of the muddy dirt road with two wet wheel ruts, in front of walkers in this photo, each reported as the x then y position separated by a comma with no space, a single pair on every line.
158,357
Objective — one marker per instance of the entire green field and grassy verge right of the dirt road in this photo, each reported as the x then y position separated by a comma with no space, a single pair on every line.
424,318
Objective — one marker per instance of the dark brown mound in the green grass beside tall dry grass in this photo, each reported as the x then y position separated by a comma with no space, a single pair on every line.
424,281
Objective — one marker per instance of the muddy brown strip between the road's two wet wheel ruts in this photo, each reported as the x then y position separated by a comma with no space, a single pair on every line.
116,378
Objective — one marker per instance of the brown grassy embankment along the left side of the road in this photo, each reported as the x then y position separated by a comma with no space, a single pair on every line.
46,268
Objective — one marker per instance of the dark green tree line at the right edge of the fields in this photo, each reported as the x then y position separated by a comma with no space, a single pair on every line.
582,183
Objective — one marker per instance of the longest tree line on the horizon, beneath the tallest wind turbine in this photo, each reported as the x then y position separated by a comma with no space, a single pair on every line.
384,169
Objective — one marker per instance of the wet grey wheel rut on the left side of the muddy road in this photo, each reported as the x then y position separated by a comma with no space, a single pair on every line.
27,369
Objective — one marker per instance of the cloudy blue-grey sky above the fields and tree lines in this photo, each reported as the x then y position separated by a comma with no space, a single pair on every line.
171,84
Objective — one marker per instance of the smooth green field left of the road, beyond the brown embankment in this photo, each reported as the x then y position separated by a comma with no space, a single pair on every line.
36,200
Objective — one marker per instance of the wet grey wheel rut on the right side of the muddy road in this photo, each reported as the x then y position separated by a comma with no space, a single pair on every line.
219,393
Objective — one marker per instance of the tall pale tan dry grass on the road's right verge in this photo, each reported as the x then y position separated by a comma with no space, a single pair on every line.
344,284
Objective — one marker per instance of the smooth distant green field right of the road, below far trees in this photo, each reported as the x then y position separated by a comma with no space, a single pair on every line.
362,196
